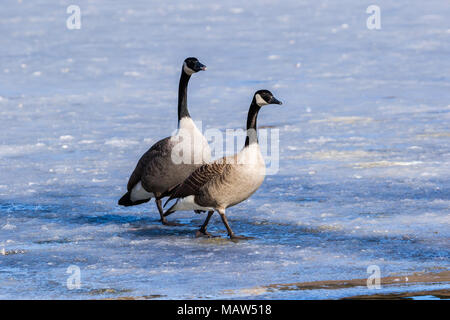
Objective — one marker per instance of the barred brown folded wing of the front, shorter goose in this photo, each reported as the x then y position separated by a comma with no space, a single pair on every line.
193,184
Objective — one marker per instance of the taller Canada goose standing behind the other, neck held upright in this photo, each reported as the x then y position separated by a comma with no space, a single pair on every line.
162,167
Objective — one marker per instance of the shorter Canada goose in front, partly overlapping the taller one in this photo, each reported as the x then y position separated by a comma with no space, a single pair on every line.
229,180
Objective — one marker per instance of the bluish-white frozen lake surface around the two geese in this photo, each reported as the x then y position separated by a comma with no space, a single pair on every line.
364,172
